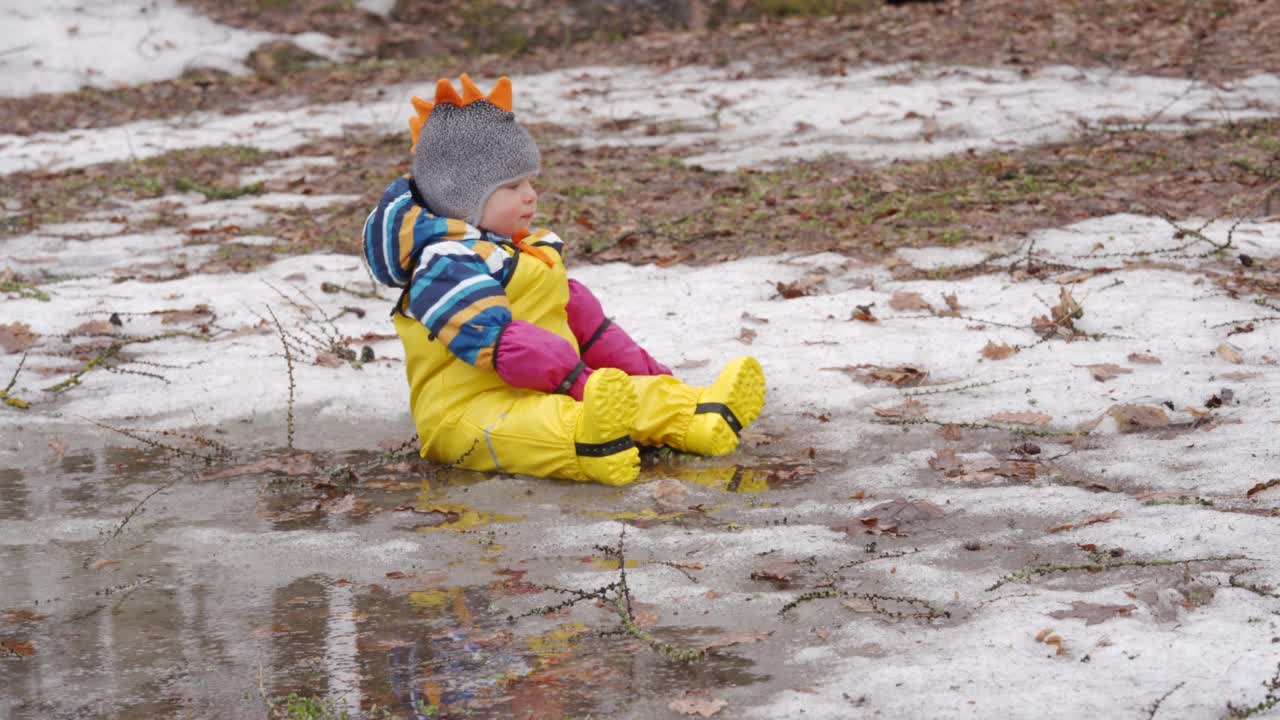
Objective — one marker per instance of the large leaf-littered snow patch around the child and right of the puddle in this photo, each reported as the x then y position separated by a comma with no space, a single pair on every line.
223,366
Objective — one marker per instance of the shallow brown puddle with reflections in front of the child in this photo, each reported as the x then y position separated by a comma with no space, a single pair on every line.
109,619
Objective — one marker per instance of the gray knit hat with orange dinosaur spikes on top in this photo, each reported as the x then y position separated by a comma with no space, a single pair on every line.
468,147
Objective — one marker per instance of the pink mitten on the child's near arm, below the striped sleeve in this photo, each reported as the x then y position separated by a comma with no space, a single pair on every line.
531,358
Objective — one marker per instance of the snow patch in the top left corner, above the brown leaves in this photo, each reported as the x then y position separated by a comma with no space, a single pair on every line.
65,45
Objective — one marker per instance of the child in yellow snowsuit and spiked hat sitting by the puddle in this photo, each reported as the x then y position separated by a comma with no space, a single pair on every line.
513,367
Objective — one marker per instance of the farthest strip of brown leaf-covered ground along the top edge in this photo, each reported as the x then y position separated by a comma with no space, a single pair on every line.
1214,42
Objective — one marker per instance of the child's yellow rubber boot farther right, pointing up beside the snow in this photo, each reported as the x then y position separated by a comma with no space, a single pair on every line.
732,404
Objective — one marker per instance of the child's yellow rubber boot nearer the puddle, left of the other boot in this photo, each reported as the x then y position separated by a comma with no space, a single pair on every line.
602,438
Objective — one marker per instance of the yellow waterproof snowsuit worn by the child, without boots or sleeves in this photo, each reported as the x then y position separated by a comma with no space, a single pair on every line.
472,418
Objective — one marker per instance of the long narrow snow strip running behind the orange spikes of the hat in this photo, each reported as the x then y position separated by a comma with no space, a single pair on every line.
875,115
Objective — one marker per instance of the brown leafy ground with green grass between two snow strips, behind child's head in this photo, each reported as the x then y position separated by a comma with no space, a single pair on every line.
641,206
